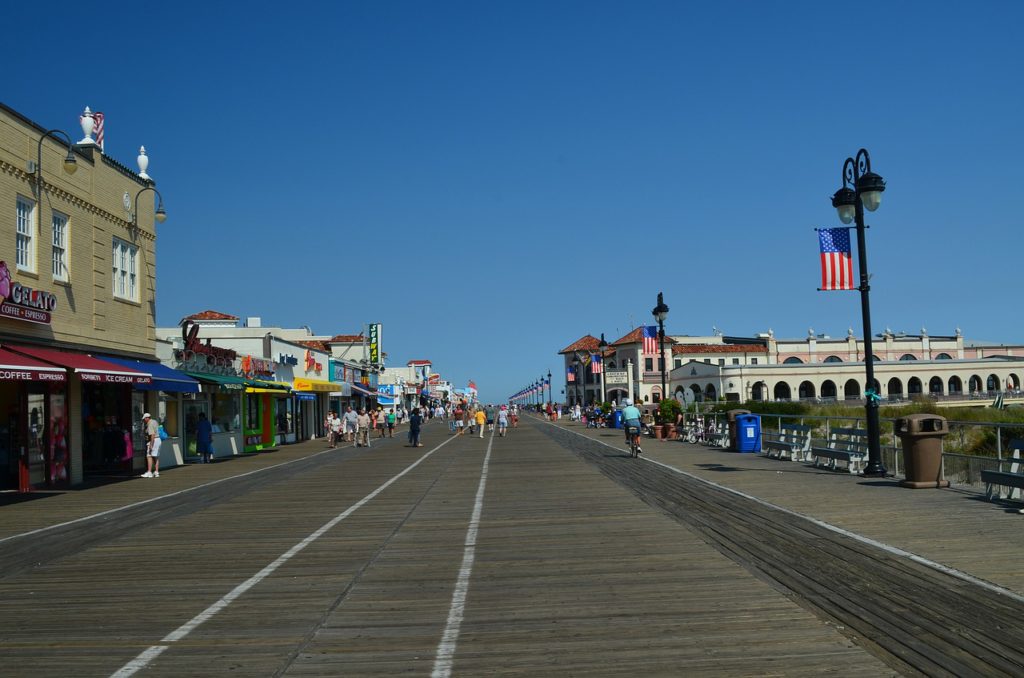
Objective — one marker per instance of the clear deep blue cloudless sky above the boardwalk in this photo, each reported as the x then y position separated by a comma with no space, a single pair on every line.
493,181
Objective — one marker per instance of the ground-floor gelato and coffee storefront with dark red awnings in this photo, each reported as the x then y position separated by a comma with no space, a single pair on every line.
109,412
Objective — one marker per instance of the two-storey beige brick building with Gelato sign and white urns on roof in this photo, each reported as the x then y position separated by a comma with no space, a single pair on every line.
78,285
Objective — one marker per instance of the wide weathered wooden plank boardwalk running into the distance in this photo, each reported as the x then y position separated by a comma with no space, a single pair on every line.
575,571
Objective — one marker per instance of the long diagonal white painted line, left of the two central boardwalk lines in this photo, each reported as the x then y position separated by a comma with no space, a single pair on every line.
144,660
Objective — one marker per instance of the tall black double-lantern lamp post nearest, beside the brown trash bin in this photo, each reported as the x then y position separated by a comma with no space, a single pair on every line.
850,203
